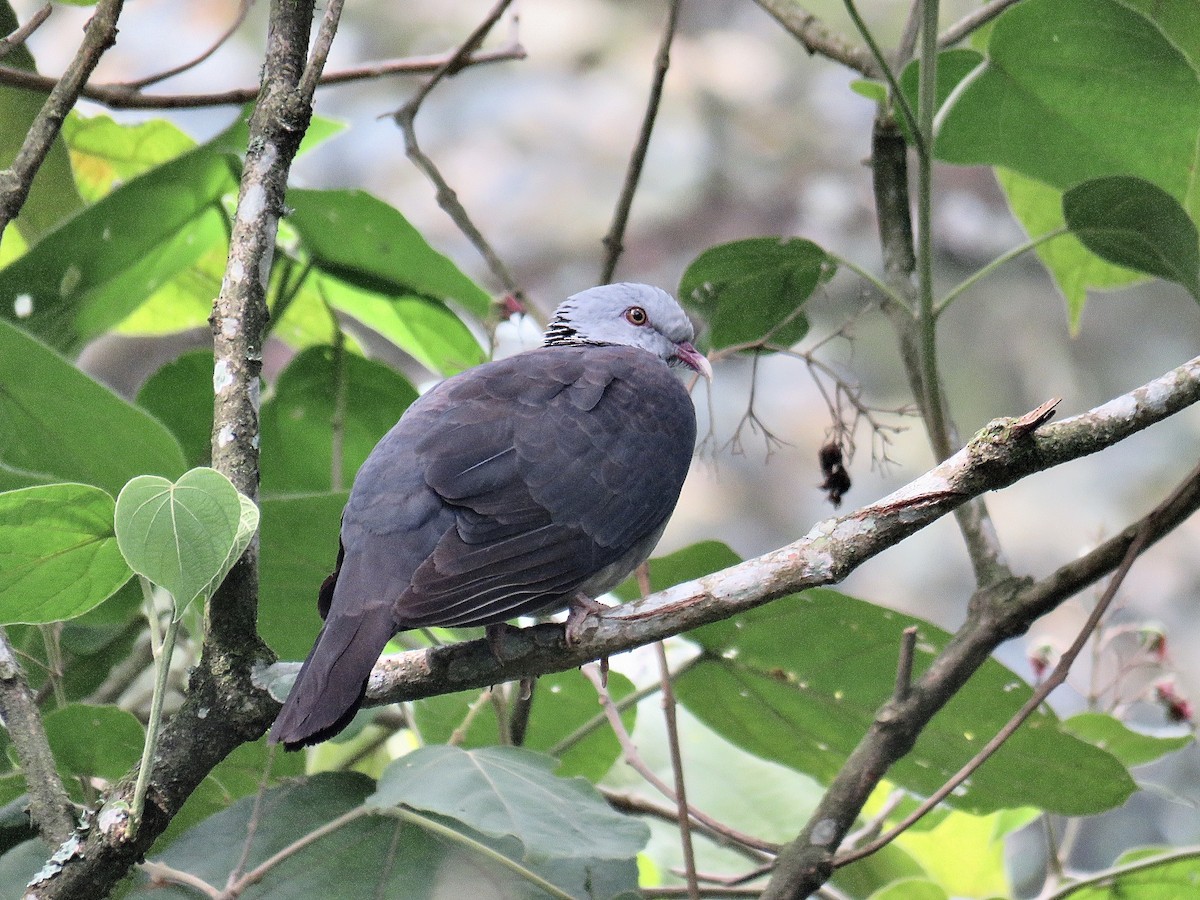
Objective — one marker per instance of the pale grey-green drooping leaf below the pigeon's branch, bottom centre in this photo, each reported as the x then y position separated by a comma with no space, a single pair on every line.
503,791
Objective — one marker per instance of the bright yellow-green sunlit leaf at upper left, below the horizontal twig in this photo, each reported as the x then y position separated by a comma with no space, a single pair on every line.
106,154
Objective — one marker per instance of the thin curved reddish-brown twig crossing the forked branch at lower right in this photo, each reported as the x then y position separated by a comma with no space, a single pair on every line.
1149,527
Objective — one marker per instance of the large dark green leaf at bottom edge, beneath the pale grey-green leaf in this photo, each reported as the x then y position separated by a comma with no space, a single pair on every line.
370,856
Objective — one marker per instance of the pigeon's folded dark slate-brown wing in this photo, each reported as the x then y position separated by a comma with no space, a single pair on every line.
559,464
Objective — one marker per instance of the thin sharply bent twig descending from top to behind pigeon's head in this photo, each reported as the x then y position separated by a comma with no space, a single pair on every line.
448,200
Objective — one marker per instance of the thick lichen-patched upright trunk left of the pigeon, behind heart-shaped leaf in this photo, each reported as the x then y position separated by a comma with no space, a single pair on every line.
221,709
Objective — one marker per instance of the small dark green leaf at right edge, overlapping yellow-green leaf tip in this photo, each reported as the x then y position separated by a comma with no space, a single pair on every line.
1136,224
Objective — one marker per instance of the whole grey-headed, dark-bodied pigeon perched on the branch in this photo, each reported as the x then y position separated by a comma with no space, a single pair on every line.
521,487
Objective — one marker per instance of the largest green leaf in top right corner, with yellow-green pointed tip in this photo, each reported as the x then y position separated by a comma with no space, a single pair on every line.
1047,104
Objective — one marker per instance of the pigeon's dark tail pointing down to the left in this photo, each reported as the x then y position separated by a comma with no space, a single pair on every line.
333,681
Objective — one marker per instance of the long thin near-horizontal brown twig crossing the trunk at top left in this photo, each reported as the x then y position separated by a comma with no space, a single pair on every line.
117,97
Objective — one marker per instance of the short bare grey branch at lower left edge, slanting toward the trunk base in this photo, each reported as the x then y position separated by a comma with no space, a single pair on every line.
49,803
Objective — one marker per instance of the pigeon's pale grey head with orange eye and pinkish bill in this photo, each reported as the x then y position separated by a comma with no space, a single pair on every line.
633,316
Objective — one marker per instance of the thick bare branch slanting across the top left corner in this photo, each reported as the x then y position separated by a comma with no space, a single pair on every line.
16,181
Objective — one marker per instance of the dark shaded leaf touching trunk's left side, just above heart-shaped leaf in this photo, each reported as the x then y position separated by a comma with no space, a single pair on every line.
181,397
